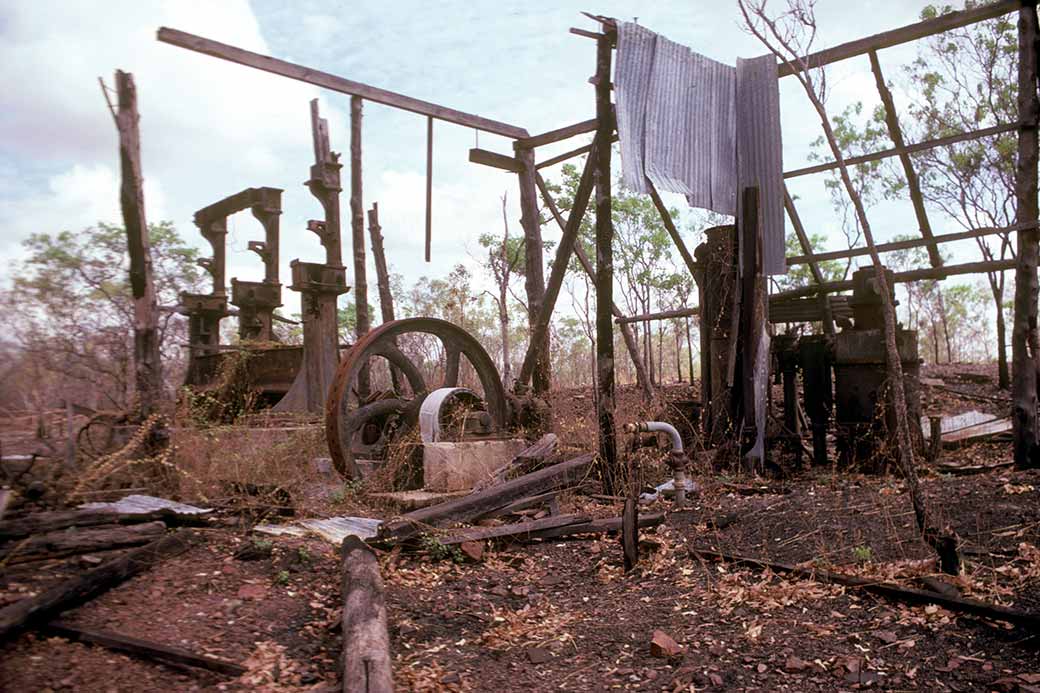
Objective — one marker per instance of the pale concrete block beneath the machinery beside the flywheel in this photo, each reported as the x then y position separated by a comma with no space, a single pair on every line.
456,467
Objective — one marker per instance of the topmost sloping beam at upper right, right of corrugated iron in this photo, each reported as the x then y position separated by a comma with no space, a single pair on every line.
901,36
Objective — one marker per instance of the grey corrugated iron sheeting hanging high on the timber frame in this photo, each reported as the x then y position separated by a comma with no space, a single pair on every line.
701,129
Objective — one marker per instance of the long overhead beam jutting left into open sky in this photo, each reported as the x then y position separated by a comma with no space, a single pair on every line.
326,81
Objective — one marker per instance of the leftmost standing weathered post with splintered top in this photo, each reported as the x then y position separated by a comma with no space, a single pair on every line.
148,368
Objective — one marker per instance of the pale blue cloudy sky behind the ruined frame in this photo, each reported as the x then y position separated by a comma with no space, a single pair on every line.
212,129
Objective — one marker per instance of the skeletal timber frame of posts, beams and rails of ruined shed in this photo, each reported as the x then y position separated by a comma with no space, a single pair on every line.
596,181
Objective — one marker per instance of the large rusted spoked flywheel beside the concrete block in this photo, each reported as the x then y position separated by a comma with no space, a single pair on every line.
381,418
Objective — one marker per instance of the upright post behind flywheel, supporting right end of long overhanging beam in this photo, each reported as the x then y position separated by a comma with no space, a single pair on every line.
534,264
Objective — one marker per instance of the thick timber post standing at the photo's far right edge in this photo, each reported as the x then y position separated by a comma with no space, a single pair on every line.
1025,342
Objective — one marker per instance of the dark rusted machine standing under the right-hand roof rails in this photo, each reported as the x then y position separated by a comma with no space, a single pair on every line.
846,375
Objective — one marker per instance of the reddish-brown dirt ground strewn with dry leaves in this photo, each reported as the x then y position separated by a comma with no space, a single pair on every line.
564,615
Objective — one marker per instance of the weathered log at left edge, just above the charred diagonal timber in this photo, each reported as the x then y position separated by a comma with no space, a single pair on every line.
71,543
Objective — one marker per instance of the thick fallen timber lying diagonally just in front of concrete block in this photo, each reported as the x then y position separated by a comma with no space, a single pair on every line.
465,509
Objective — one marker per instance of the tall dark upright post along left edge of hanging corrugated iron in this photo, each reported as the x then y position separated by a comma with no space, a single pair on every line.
605,272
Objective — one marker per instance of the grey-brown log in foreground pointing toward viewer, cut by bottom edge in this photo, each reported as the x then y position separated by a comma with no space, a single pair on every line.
367,645
